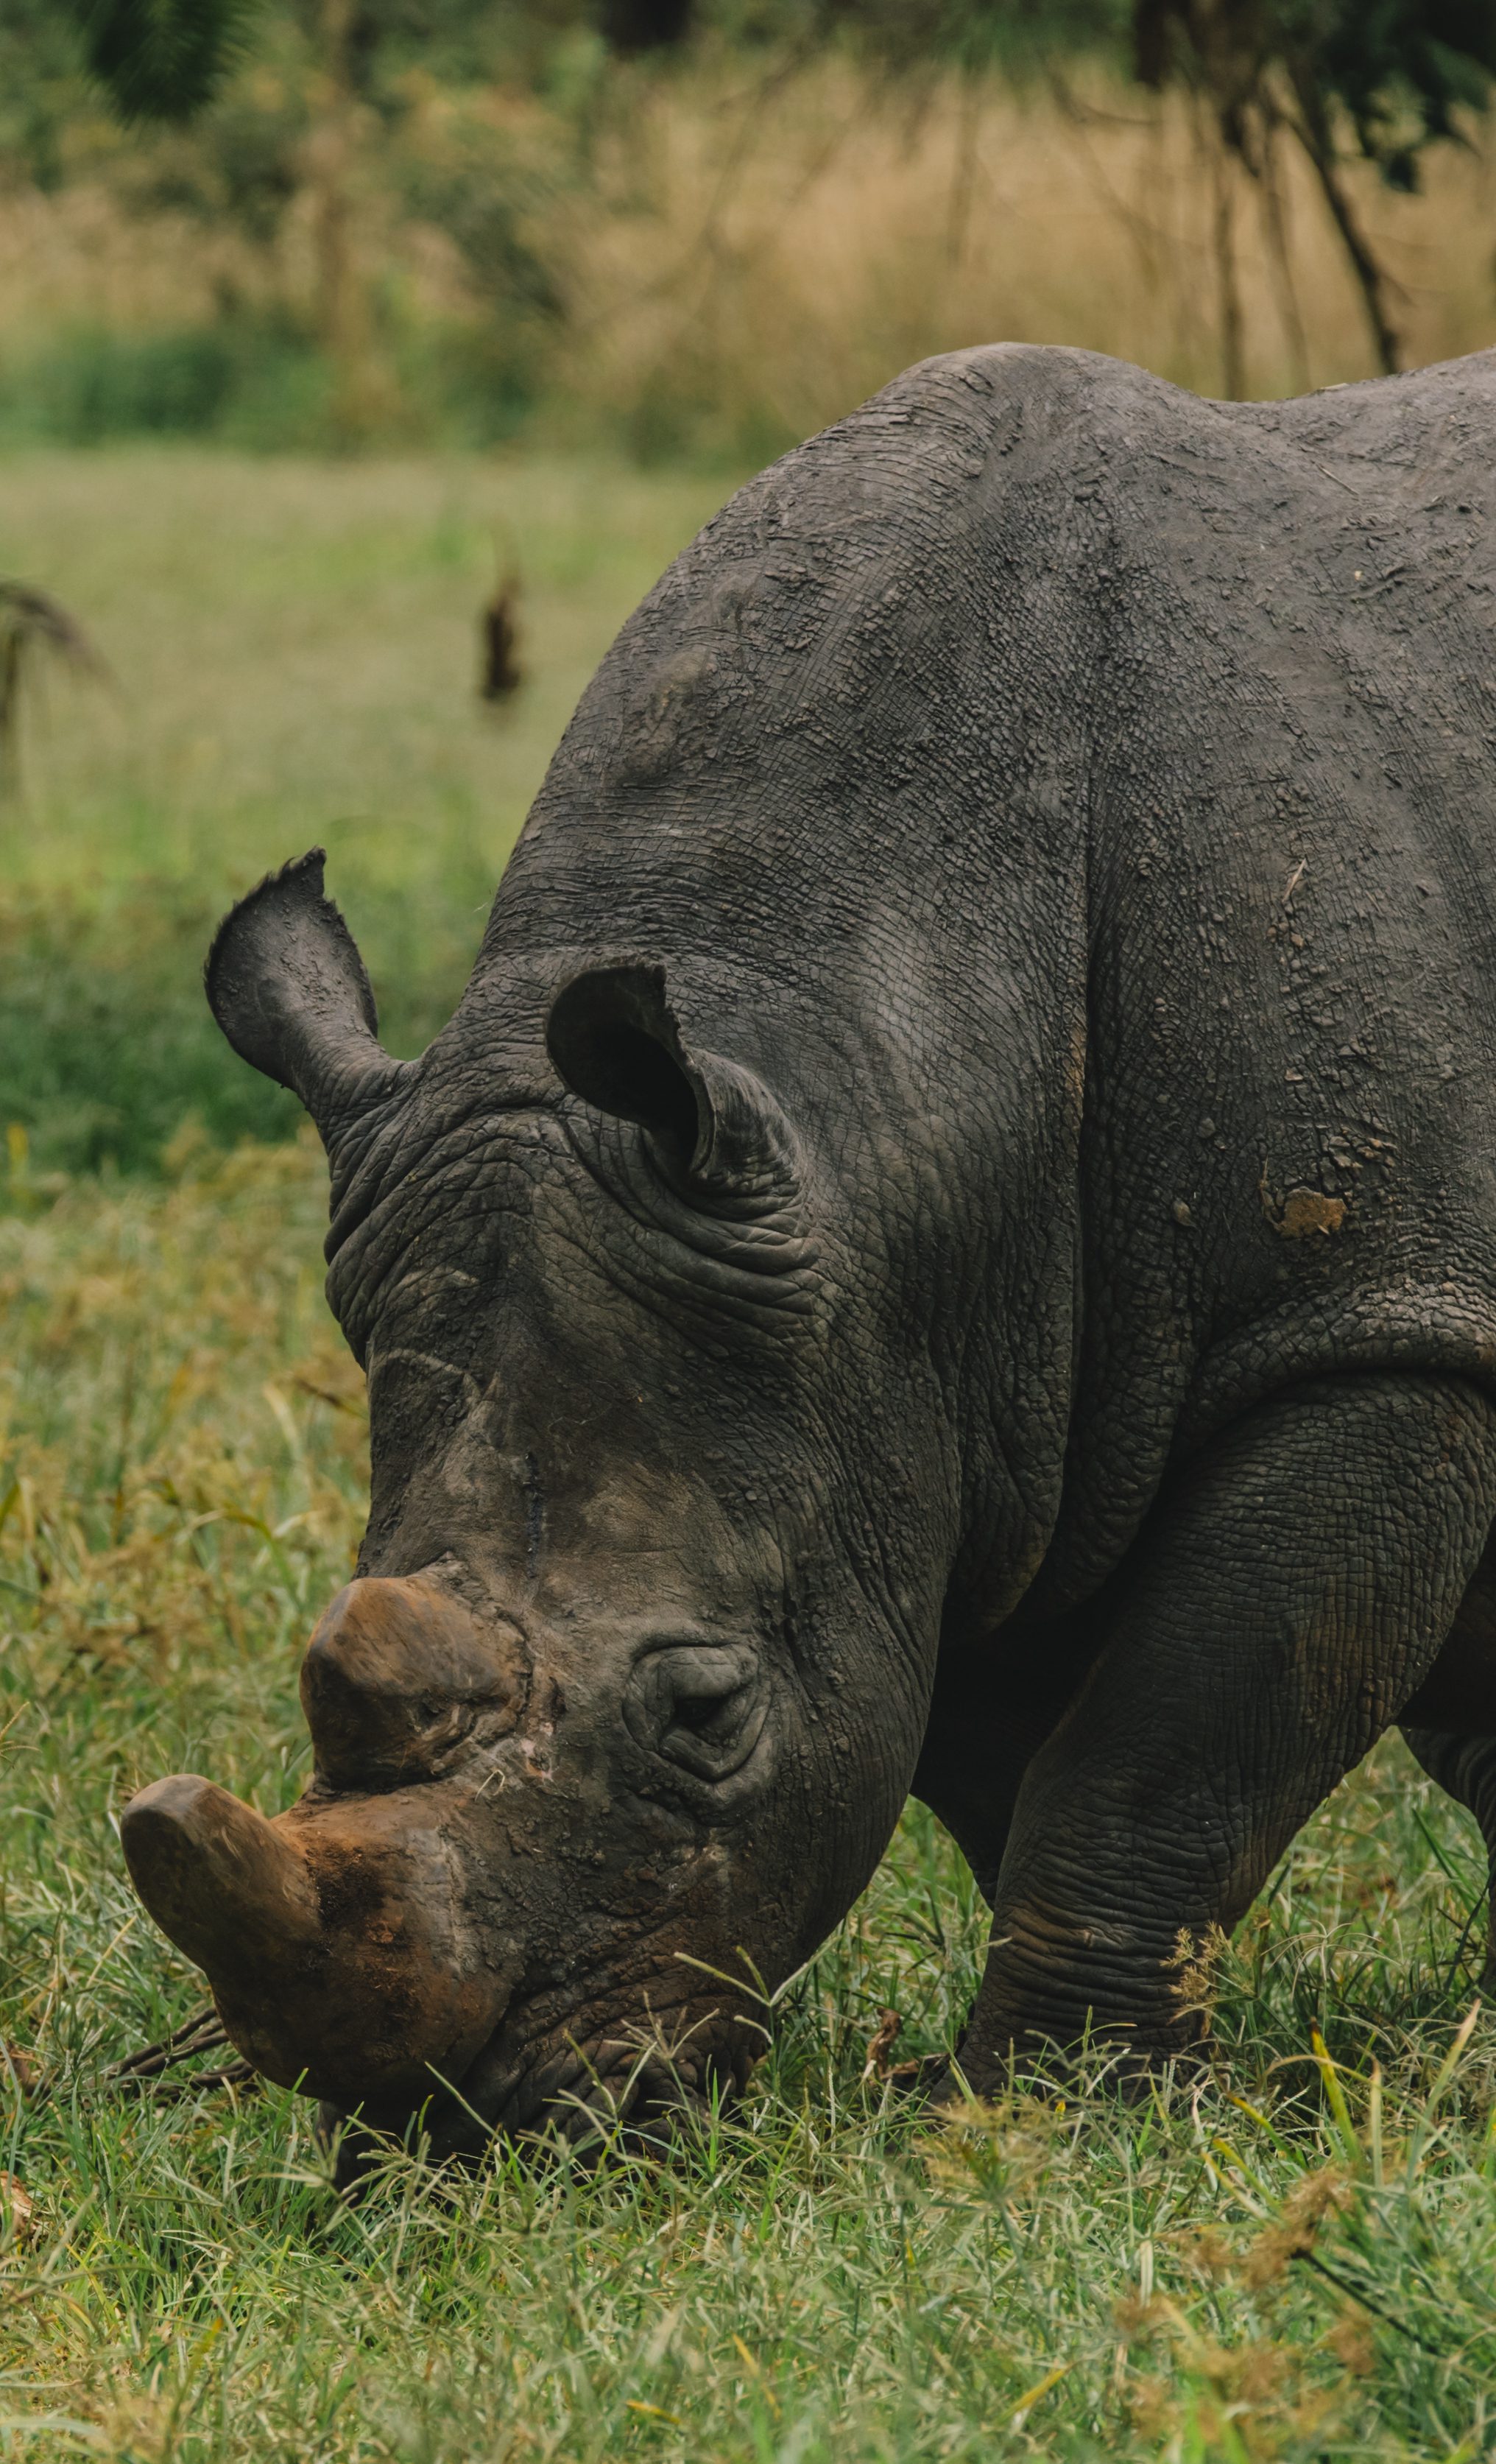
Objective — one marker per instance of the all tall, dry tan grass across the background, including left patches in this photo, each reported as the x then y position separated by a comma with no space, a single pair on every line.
755,255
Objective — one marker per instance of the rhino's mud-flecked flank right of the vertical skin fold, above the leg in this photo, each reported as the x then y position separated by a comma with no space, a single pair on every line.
1290,1120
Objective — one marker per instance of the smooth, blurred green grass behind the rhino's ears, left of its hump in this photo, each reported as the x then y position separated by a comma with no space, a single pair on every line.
295,662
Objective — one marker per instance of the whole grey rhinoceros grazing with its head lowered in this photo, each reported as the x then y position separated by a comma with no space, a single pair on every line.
948,1250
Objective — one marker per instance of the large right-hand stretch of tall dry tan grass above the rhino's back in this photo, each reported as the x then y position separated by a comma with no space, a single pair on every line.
805,248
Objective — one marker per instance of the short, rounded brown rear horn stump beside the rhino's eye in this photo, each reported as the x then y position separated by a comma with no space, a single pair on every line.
400,1677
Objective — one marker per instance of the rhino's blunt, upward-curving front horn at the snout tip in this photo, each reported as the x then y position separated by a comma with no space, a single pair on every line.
218,1879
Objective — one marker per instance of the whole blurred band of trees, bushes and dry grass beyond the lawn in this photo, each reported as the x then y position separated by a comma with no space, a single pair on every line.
455,223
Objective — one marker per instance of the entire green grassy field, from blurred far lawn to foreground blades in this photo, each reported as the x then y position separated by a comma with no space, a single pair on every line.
1290,2261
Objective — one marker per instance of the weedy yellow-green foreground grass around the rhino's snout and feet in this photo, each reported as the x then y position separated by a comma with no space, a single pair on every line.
1238,2271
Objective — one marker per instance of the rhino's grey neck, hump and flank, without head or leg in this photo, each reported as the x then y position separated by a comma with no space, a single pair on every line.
1076,800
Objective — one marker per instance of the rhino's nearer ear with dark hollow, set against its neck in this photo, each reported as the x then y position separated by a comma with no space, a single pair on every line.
617,1044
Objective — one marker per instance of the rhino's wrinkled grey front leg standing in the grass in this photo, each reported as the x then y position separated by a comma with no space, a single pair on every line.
1288,1598
